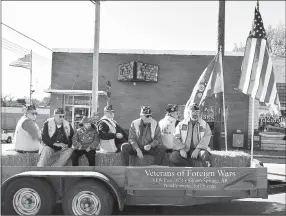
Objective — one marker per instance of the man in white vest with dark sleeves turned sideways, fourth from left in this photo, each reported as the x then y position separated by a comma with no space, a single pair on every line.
111,135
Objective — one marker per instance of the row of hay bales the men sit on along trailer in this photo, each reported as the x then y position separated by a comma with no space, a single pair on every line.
218,159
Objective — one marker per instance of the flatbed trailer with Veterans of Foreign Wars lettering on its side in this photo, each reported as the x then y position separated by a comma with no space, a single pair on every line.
100,190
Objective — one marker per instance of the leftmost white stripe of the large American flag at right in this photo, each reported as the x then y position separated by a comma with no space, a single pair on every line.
248,63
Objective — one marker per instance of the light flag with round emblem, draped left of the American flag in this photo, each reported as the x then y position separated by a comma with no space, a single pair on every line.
209,83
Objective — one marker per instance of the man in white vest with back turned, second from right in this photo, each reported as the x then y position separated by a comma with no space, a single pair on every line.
168,126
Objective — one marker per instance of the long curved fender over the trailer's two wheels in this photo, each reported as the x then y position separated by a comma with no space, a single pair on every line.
109,182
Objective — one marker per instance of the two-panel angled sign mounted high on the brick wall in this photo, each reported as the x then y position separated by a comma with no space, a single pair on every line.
138,72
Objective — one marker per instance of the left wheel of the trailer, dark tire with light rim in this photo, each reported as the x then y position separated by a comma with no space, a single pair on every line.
28,196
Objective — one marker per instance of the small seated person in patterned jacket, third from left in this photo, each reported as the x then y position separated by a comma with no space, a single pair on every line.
85,142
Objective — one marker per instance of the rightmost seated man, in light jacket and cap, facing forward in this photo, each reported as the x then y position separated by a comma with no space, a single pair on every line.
191,140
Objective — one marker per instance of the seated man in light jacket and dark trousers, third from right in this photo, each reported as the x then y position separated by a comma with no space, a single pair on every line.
144,138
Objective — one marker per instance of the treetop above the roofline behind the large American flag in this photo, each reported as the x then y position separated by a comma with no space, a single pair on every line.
276,41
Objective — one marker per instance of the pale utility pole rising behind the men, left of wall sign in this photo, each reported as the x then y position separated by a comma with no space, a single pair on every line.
95,65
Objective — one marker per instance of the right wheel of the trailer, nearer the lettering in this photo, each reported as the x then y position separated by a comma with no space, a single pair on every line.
88,197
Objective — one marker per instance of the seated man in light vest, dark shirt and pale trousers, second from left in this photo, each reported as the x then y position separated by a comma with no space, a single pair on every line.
57,139
